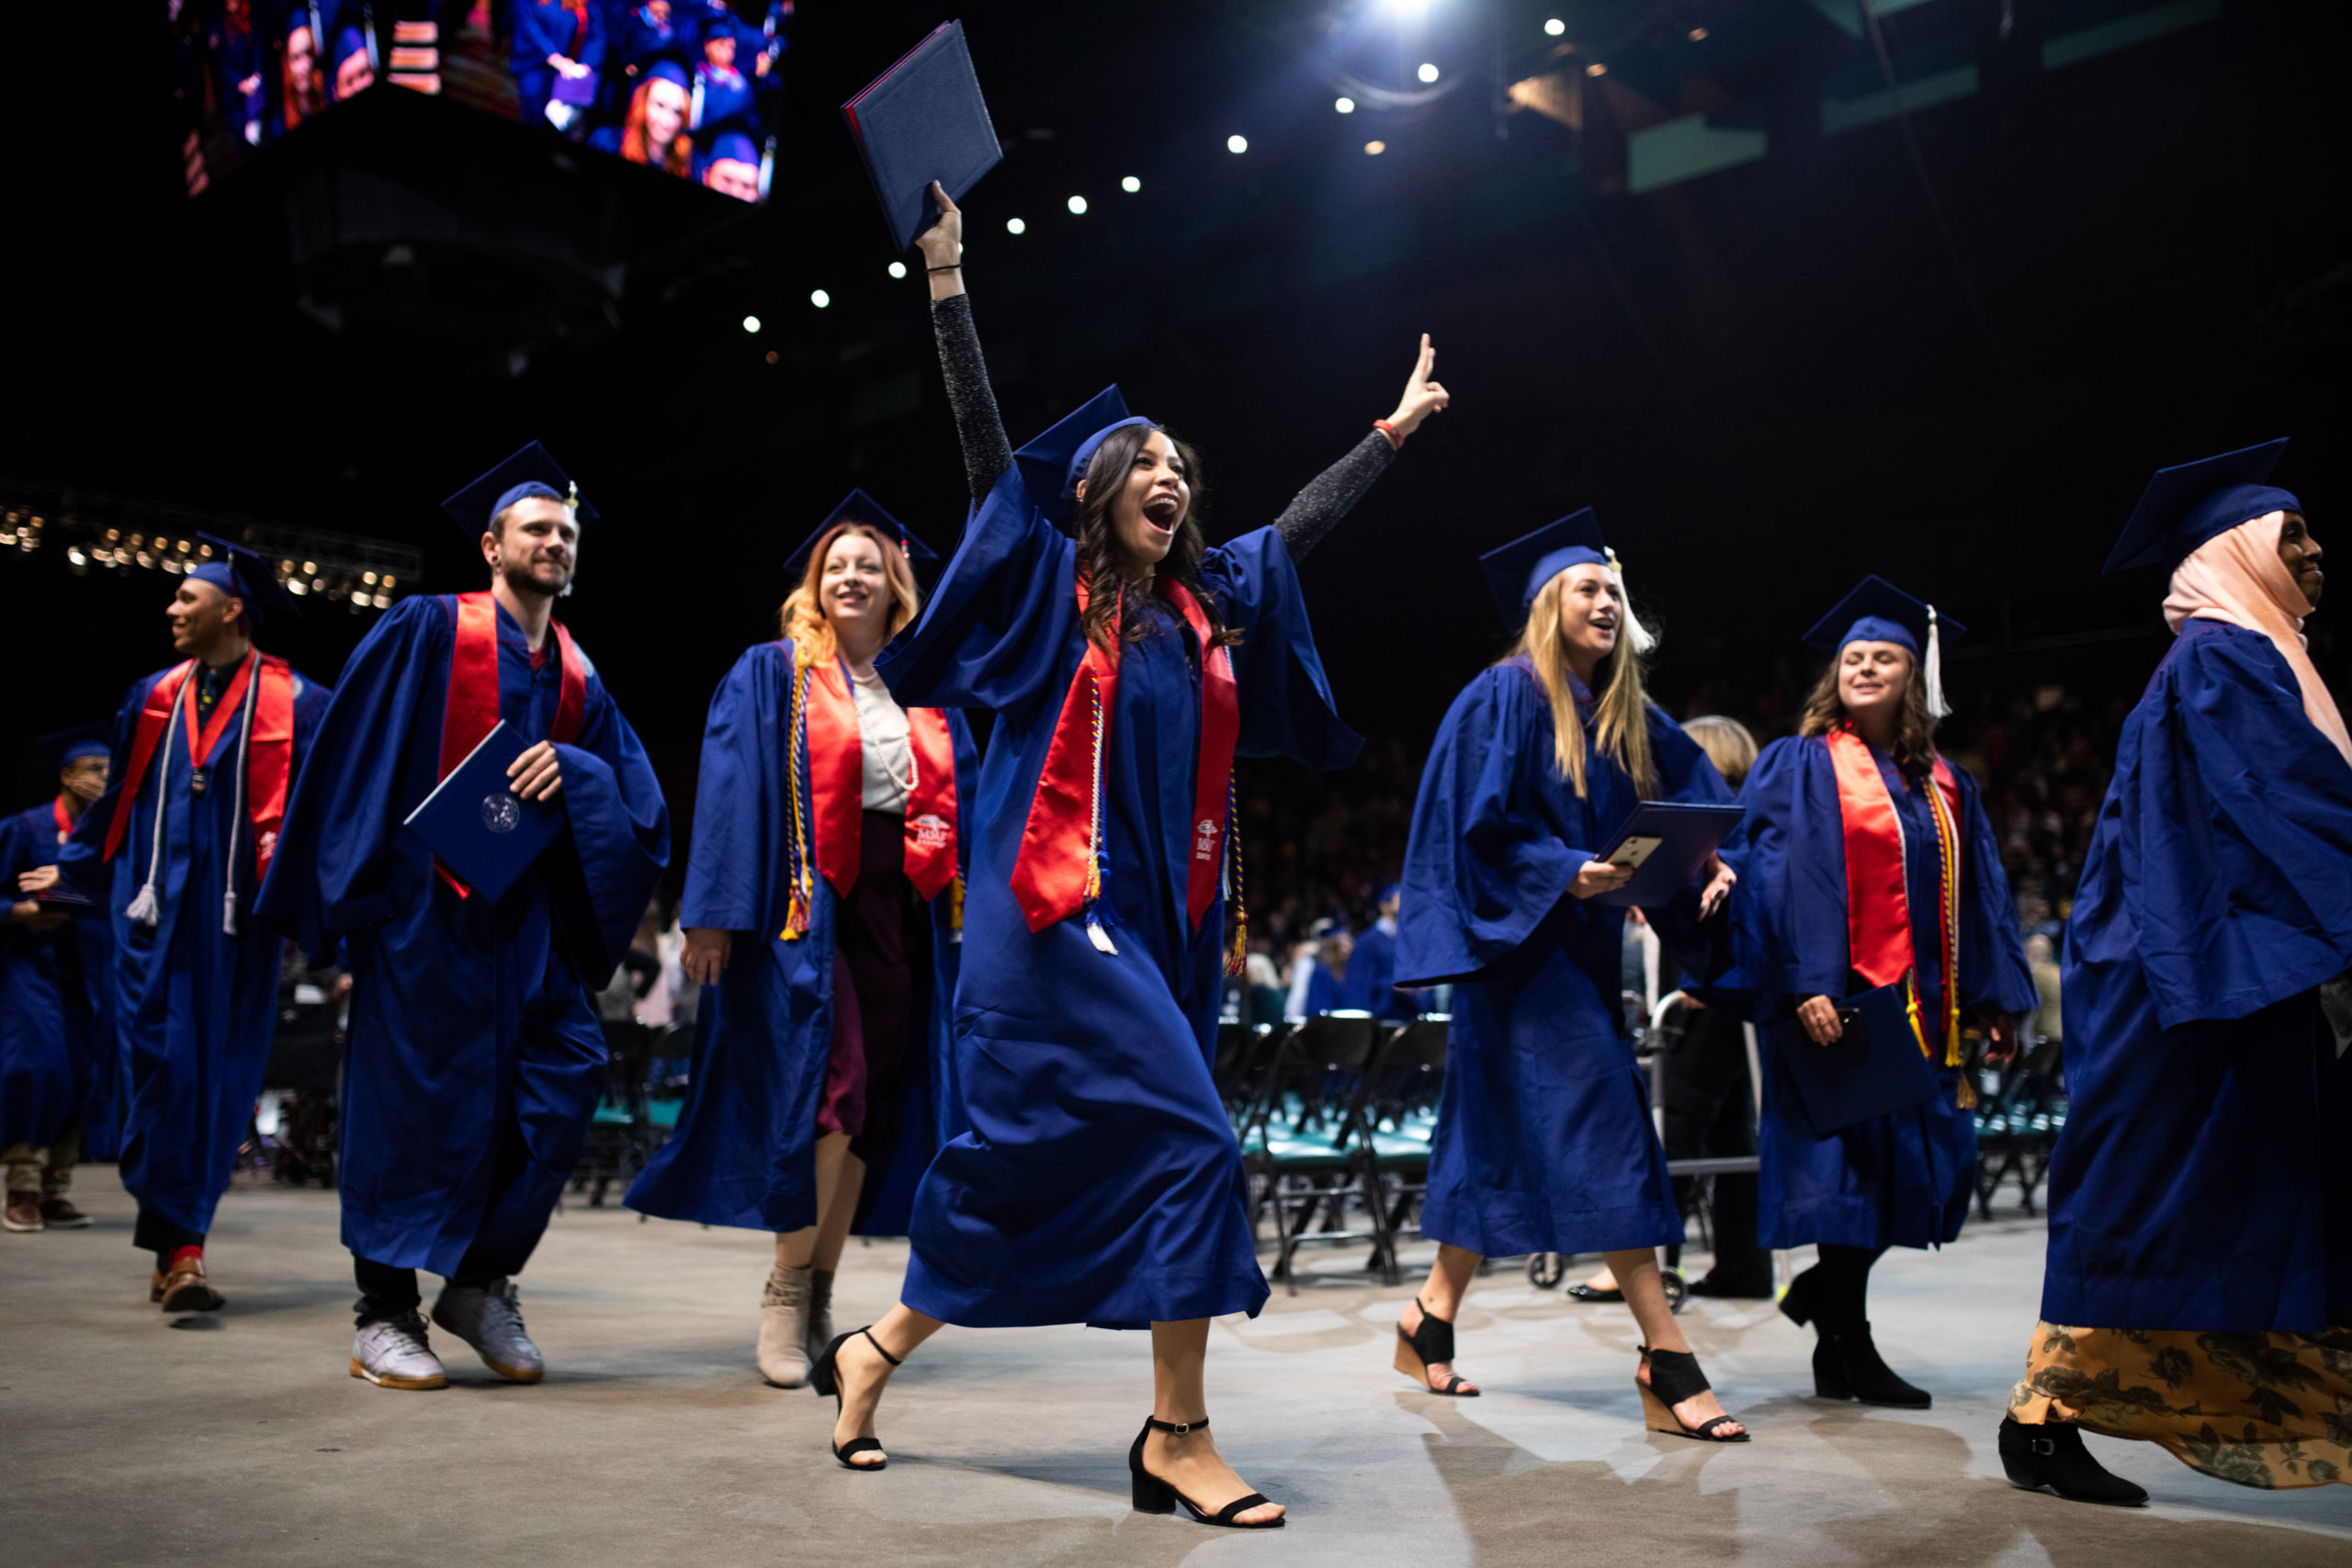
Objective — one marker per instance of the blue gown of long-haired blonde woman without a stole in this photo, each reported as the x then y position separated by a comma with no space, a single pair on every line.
1544,1139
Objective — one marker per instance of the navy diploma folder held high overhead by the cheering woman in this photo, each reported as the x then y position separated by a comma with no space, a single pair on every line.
923,121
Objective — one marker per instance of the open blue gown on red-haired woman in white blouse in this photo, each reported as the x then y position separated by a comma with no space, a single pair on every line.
744,1151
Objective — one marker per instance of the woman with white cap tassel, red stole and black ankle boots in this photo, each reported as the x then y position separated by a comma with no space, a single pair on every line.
1869,862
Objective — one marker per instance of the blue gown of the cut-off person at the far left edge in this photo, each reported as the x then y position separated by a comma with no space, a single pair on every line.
41,1064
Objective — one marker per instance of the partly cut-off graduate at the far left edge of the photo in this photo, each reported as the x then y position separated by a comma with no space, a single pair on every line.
58,1080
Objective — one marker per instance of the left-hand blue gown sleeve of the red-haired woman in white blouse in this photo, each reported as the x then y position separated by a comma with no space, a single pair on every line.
740,800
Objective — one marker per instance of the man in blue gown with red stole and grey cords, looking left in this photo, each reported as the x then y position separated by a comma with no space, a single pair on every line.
178,847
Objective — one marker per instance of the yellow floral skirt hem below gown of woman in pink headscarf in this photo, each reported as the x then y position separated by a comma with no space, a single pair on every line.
2259,1409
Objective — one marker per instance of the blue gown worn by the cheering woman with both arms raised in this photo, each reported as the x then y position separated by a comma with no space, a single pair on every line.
1102,1179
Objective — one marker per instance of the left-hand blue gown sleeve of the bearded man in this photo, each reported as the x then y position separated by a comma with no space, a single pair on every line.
335,850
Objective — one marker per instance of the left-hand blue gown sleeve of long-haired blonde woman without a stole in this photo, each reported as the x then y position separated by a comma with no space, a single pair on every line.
1483,866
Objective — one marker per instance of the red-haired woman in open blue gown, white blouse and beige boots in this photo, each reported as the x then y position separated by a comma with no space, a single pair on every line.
824,920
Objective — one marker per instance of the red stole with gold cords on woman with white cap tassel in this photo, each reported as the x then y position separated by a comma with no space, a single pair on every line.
1878,899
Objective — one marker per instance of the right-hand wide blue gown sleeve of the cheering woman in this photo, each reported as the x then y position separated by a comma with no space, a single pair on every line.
1285,695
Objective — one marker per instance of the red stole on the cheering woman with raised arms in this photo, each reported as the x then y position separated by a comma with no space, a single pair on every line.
1057,871
